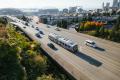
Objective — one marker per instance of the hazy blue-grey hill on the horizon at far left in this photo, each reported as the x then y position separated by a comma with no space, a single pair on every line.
10,11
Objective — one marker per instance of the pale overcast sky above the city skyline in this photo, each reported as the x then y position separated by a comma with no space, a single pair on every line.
86,4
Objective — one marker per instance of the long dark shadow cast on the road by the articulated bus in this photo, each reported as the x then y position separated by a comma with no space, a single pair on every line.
89,59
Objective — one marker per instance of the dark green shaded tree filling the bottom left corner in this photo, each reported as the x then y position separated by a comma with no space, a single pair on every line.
10,68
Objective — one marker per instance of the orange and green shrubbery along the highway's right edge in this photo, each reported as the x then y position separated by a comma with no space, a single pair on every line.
97,29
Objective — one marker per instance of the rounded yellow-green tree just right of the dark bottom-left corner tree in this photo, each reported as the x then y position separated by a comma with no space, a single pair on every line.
35,65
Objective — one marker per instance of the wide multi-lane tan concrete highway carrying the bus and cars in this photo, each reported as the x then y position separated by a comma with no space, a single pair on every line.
102,63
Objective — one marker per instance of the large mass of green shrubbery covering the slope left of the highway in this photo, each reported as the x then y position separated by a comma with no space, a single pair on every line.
21,59
